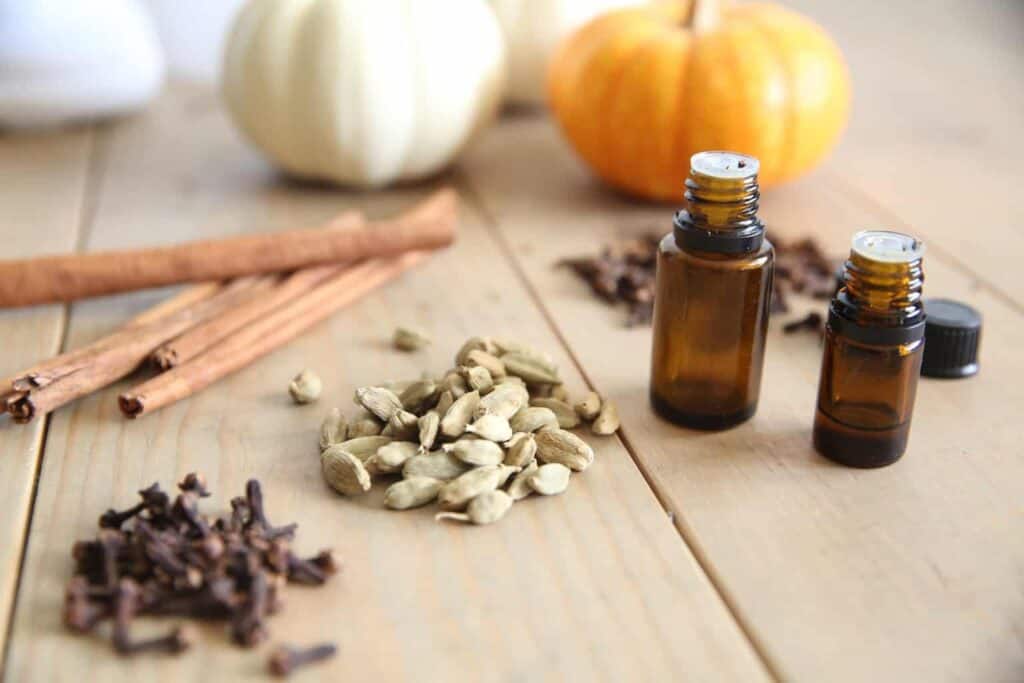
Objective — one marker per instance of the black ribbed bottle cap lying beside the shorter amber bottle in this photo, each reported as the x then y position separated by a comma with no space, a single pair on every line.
953,333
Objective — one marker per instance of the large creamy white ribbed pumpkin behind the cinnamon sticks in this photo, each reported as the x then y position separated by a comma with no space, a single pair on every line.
364,93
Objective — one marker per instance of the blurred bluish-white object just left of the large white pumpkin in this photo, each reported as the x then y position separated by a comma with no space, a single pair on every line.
193,33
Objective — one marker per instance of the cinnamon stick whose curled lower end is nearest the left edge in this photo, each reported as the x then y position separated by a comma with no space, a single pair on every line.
81,372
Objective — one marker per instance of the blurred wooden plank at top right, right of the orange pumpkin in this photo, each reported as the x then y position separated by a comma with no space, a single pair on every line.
934,137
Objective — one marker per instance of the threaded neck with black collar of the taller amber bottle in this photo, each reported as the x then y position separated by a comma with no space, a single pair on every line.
720,216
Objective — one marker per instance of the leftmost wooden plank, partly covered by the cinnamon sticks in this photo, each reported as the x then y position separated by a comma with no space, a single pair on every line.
42,186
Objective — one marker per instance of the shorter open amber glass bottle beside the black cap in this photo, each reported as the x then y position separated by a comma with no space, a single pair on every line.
874,348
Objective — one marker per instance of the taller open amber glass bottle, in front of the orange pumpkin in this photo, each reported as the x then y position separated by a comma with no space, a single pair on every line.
711,304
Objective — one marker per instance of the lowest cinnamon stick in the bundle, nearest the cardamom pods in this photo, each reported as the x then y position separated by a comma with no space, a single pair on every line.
265,335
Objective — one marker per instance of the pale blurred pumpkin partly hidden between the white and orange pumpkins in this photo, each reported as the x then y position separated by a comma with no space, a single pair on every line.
533,30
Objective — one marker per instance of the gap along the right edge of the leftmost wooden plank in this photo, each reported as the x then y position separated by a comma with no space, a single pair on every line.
99,141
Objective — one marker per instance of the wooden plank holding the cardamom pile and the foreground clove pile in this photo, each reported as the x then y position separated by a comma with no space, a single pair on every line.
595,585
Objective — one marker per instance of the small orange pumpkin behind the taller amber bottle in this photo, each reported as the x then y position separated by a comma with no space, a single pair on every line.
638,92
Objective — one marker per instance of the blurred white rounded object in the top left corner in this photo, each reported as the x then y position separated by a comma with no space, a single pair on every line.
68,60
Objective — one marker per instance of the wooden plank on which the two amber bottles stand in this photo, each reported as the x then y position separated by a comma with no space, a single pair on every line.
910,573
